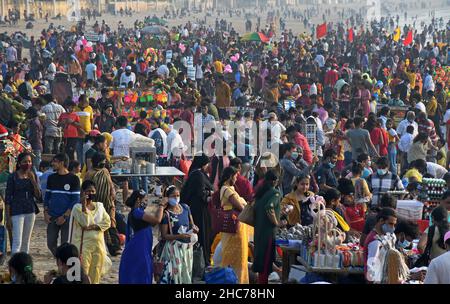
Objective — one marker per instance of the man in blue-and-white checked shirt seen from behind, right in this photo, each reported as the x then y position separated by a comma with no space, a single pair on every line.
383,181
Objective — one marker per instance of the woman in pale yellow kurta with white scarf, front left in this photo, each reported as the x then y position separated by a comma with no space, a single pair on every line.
88,221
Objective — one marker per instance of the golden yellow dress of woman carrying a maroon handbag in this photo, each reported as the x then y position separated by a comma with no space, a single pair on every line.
235,245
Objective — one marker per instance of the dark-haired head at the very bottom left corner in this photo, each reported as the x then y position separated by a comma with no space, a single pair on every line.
21,269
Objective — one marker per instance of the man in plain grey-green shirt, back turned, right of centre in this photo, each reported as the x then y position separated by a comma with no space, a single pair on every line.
359,139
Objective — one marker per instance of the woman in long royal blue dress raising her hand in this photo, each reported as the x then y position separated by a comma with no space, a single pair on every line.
136,263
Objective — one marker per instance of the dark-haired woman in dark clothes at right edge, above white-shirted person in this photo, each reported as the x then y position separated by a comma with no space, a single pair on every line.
435,247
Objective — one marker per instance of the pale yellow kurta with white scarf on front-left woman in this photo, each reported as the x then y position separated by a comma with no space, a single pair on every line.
94,258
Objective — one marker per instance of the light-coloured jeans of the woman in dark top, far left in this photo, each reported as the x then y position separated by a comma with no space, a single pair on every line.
22,227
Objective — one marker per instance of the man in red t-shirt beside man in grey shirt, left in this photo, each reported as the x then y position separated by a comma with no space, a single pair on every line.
70,123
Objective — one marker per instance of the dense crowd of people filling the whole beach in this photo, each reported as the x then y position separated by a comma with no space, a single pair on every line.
328,106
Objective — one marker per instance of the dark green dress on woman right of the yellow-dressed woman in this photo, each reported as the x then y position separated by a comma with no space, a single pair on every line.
264,237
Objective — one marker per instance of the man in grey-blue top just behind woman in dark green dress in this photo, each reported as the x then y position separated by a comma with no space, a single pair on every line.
289,169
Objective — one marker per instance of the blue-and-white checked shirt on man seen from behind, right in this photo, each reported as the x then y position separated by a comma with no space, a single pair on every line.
379,185
